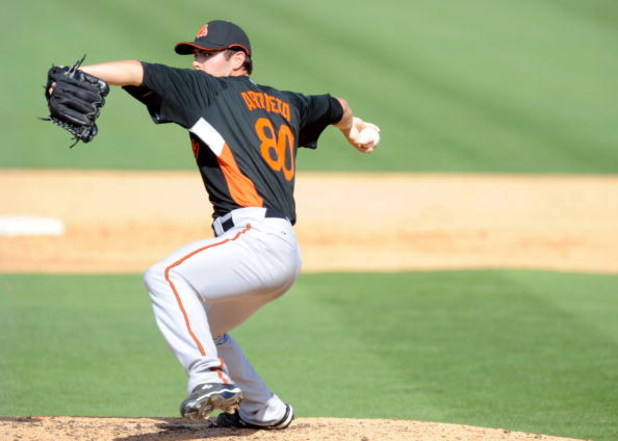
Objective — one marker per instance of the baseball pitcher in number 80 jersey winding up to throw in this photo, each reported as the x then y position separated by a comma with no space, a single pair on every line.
244,137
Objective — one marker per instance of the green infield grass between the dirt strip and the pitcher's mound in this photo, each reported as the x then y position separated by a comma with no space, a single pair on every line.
529,351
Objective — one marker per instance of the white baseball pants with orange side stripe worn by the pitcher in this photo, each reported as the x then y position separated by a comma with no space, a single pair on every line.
207,288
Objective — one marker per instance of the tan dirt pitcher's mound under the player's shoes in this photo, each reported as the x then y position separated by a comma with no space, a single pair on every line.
305,429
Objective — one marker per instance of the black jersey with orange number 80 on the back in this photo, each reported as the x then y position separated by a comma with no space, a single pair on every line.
244,136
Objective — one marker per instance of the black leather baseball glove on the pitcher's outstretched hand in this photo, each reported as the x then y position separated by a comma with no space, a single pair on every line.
74,99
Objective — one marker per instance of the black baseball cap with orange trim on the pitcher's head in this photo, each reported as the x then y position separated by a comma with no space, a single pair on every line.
216,35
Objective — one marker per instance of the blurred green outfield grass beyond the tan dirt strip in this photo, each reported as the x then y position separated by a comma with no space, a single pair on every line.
475,86
